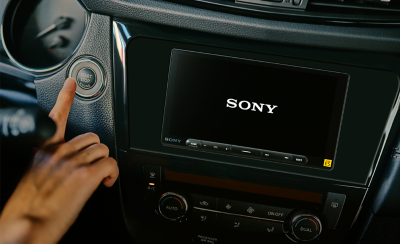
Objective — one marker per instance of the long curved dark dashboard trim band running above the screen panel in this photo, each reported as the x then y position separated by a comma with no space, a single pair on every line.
385,40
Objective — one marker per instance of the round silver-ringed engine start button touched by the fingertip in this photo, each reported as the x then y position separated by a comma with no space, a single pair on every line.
89,75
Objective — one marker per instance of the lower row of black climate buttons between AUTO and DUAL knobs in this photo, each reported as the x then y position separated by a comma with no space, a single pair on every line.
204,218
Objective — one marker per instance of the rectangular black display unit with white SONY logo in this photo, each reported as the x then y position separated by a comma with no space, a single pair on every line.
254,109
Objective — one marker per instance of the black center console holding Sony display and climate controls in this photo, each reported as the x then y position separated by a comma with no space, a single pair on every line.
217,145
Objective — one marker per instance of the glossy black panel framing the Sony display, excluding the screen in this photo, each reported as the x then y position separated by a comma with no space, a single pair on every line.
147,75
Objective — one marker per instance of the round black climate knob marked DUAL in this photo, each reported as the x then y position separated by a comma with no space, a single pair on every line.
305,226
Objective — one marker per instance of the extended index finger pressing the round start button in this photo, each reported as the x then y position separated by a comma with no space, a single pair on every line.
61,109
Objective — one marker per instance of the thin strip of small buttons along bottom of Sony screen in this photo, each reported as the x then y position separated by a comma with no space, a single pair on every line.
246,151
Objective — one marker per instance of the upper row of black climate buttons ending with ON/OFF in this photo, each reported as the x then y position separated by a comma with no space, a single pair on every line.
238,207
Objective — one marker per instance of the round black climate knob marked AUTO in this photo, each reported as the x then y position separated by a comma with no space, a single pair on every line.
172,206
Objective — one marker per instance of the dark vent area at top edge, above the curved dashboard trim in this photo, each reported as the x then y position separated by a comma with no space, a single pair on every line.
341,12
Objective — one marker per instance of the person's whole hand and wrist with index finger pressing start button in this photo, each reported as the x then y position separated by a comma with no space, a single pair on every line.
62,178
